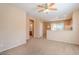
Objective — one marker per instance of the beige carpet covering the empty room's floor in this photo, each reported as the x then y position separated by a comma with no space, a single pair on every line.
43,47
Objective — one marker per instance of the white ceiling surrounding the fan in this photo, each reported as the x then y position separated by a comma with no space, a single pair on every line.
64,10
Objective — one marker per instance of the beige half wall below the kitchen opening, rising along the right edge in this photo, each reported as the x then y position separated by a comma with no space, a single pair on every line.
67,36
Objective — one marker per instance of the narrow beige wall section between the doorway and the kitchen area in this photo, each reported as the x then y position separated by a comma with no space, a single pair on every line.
38,28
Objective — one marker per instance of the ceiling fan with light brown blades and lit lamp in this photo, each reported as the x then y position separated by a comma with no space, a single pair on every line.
46,7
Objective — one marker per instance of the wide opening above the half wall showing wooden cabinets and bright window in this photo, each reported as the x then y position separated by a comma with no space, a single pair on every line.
59,25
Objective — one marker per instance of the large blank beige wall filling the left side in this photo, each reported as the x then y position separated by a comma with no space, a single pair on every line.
12,27
